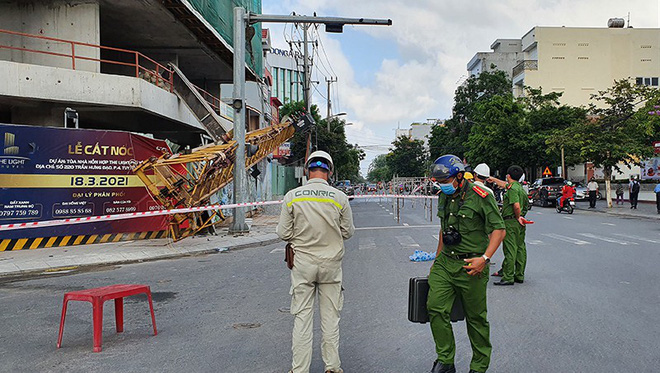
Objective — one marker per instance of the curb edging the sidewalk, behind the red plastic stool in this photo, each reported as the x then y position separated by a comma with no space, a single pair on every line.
58,271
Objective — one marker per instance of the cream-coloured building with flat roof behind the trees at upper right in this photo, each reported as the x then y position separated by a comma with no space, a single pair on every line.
578,62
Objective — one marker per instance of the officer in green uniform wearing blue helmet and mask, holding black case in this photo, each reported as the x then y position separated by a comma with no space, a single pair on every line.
468,214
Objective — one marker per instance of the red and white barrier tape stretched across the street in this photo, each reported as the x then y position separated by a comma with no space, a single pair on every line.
134,215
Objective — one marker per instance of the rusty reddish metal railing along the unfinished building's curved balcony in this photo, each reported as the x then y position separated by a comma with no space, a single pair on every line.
134,63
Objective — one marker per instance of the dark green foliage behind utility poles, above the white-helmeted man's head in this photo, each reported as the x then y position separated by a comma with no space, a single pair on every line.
347,157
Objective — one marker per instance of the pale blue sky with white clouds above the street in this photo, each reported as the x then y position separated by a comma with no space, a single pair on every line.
408,72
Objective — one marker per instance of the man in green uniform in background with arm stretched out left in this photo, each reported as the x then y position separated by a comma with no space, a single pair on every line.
515,205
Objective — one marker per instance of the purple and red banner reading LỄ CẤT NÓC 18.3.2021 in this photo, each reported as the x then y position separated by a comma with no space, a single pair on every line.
56,173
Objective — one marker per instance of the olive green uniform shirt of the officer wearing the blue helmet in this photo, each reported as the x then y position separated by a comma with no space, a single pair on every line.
474,214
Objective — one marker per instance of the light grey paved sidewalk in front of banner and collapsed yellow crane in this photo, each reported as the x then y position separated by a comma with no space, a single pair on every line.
63,259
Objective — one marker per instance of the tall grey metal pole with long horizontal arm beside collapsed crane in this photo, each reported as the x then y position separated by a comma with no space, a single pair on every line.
241,20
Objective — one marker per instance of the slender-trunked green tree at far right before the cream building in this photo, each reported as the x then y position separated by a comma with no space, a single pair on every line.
618,130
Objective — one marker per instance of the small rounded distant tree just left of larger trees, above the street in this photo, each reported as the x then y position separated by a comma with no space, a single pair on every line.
407,158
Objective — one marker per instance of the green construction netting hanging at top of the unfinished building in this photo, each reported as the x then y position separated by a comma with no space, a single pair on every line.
220,14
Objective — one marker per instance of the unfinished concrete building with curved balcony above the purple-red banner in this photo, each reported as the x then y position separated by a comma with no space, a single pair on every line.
110,61
